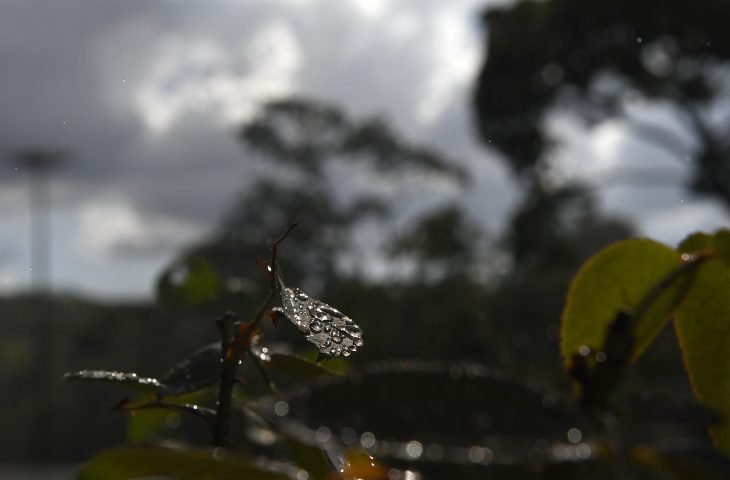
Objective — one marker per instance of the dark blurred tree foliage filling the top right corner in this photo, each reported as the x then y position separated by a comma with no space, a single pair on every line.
593,60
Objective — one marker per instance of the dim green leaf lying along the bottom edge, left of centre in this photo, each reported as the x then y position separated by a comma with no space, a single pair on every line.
131,462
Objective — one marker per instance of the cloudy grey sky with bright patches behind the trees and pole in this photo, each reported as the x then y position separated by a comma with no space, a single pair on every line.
145,97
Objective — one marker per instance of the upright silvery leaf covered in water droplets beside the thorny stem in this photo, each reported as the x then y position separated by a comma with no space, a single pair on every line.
332,332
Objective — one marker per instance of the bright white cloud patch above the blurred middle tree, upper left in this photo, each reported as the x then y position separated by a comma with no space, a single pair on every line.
204,76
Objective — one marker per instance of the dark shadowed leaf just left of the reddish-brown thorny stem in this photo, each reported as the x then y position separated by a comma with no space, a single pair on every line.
200,370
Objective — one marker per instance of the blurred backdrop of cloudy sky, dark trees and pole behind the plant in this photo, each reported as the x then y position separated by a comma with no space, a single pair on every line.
451,164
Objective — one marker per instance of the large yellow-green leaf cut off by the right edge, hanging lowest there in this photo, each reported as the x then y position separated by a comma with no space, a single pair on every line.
703,329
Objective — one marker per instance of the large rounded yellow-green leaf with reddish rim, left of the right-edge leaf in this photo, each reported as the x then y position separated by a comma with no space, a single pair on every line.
619,278
